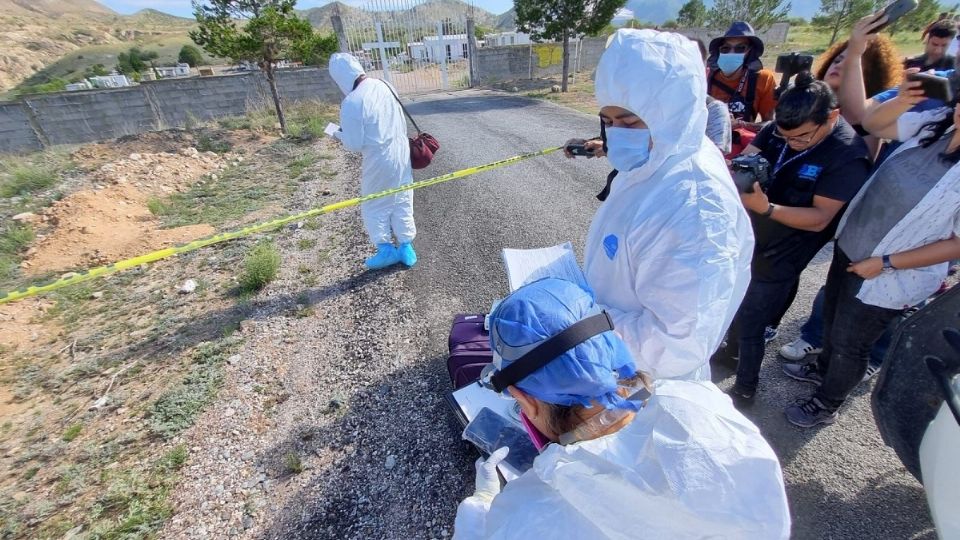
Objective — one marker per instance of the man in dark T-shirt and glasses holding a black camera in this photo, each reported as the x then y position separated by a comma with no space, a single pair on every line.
795,180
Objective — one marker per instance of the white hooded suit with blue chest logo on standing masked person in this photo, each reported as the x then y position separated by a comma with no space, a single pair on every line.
668,253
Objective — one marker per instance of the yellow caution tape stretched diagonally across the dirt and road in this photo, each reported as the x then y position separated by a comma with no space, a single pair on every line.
154,256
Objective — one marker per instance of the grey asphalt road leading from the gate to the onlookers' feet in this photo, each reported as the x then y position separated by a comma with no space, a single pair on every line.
842,481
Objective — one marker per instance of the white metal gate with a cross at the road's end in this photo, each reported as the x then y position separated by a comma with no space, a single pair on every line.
411,44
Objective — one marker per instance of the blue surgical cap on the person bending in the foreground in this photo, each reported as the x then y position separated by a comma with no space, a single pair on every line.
586,373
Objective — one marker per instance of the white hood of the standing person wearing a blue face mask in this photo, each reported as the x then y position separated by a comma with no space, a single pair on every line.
660,77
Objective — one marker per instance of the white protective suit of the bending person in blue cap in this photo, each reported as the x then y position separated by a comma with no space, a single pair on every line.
689,466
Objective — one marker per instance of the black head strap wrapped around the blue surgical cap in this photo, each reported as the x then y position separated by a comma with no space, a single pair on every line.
551,349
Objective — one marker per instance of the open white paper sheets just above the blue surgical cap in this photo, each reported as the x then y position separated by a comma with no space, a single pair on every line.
528,265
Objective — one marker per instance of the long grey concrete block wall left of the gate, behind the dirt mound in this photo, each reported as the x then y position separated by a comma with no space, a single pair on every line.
42,120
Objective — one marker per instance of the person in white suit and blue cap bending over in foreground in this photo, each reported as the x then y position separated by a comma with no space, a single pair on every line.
684,464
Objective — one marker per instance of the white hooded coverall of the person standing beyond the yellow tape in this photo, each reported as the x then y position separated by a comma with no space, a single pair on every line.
373,123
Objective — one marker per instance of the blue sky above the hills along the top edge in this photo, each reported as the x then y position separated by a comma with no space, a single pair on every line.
650,10
